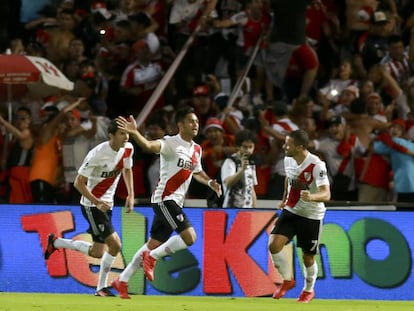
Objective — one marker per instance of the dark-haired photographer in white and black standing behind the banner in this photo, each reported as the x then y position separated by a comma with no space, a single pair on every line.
238,173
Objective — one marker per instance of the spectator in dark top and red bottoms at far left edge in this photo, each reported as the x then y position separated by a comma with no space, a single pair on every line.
19,156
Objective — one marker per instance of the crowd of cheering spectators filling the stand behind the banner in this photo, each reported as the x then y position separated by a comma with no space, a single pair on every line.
350,85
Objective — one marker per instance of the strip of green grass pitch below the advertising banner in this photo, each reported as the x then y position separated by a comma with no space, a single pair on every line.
62,302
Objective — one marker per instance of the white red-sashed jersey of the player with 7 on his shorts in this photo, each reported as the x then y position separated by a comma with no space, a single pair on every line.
309,175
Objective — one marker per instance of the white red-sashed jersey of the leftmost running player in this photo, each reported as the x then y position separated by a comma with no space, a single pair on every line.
103,167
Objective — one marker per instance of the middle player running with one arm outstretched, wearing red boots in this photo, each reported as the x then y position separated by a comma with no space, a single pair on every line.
180,160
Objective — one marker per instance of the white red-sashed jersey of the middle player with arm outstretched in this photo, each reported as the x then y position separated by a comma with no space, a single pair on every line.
179,159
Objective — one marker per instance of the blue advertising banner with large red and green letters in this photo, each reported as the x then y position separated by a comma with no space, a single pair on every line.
364,254
